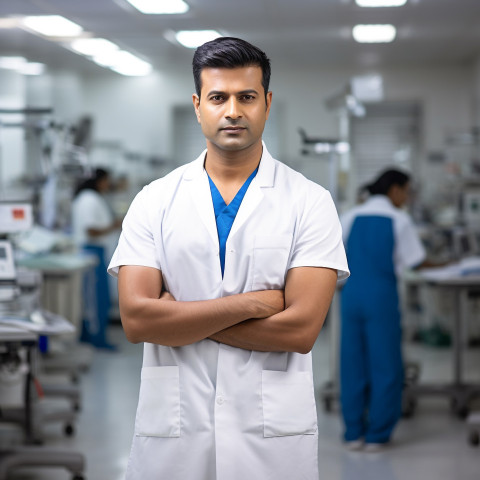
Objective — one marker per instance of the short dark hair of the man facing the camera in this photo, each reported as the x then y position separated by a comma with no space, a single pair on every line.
229,52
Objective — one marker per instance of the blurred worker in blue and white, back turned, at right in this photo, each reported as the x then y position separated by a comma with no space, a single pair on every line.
381,241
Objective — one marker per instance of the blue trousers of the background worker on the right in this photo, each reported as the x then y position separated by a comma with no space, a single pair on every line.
371,367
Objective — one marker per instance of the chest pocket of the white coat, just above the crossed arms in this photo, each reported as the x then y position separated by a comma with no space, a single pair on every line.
270,259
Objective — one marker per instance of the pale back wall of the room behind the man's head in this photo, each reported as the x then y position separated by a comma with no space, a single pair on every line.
135,113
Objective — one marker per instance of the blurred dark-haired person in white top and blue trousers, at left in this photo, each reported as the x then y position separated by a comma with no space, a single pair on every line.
96,230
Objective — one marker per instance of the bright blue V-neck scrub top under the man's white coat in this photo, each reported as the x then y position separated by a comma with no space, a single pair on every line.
225,214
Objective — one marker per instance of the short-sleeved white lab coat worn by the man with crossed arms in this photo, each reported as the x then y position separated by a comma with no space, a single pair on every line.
208,411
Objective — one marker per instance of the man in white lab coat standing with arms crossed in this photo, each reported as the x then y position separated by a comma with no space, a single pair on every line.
227,267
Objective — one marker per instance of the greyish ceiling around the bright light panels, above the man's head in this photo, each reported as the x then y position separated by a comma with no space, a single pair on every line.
294,32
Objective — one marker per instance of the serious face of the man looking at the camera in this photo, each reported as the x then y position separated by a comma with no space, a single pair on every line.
232,110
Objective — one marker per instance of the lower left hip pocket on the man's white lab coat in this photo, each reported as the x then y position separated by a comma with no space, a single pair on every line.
158,412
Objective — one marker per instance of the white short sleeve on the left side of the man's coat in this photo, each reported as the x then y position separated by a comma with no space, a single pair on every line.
136,245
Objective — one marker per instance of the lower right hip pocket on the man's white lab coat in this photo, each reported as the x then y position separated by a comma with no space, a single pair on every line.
288,404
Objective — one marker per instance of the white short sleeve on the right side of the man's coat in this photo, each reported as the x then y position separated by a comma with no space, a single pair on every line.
318,240
